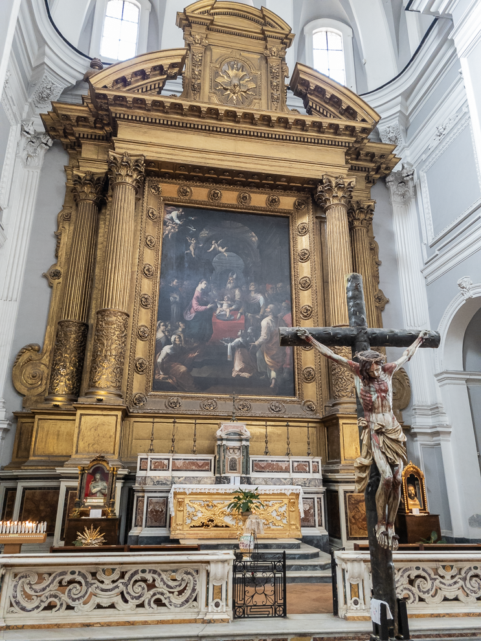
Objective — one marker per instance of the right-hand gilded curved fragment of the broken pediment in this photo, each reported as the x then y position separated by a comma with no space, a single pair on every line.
327,98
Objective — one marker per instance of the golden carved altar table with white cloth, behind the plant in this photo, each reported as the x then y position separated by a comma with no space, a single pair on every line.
200,511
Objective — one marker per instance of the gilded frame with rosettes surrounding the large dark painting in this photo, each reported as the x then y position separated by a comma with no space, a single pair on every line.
306,288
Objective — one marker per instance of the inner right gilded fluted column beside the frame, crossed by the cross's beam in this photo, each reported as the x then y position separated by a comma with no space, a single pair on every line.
334,194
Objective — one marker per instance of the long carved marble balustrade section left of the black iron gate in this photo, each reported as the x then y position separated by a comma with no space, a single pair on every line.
114,589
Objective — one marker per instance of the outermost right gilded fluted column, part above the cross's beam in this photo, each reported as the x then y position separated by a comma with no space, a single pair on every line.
360,216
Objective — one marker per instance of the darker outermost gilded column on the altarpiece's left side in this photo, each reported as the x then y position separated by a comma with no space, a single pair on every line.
69,349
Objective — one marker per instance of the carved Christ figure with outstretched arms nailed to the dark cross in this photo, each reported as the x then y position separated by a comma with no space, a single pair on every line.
382,438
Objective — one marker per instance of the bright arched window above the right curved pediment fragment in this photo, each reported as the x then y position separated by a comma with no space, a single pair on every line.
329,50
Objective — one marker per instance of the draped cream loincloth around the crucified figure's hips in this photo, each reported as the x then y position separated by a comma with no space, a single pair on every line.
391,444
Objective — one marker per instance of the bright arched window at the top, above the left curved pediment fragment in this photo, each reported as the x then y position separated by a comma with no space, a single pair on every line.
120,31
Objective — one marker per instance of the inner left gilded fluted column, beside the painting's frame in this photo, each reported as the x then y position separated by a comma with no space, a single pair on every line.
126,176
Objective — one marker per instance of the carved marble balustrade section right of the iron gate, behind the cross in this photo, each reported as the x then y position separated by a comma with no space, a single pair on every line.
446,584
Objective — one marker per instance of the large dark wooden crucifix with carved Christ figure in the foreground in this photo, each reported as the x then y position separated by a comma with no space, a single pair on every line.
383,452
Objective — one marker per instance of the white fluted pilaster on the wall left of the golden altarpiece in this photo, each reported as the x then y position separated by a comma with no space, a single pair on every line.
28,163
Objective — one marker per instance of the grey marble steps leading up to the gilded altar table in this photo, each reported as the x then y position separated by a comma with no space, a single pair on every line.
305,563
